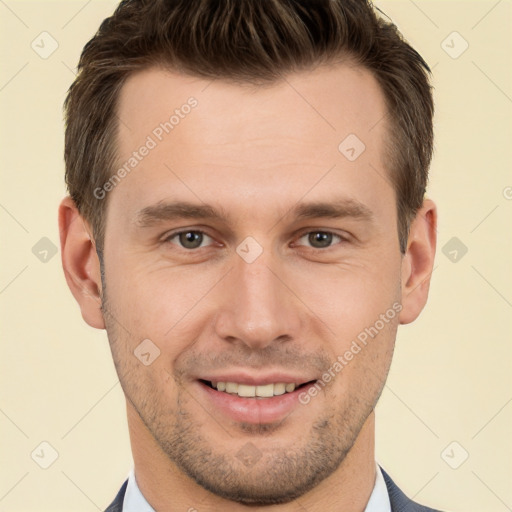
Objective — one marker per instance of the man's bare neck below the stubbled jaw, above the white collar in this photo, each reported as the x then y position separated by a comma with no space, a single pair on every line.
165,487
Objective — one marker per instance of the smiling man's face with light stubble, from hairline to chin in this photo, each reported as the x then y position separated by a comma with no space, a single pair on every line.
248,248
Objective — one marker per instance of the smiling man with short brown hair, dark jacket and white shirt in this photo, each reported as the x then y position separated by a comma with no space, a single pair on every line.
247,220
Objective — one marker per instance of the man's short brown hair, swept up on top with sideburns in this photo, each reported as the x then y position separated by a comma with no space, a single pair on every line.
248,41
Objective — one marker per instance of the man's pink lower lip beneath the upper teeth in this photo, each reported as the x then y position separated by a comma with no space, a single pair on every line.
254,410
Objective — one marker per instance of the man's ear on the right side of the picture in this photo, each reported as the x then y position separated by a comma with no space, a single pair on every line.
418,261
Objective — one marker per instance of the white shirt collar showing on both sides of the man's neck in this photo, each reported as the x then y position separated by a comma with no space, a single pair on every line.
134,501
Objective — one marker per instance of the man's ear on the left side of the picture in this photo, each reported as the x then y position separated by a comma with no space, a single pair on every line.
80,262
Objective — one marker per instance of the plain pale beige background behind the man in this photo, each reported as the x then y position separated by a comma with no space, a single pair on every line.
451,377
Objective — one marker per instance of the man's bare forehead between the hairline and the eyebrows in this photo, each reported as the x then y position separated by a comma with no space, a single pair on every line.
240,140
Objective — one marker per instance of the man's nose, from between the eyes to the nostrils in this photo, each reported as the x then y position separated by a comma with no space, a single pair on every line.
258,307
